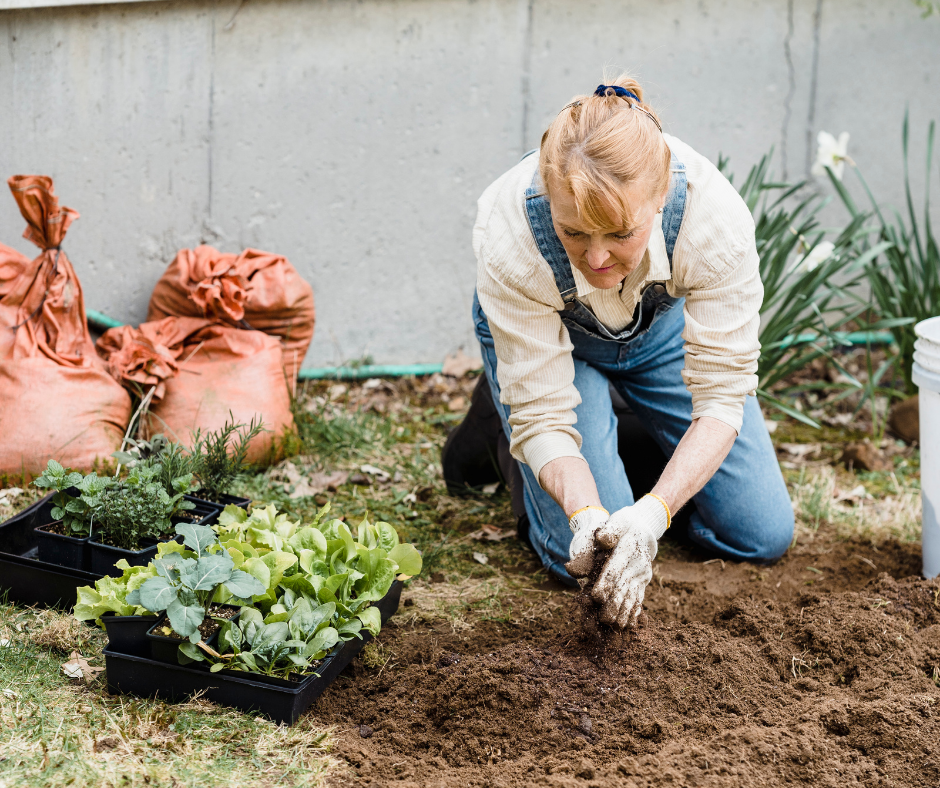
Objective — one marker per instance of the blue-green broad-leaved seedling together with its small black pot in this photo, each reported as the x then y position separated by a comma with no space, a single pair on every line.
185,589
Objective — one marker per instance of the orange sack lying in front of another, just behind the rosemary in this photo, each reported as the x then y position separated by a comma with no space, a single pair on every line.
203,371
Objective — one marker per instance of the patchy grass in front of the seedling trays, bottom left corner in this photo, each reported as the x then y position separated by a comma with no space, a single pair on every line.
57,731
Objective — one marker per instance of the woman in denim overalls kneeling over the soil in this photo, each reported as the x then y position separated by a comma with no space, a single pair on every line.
617,255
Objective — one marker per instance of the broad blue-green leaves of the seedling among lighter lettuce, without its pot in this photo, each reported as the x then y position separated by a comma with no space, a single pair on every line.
186,587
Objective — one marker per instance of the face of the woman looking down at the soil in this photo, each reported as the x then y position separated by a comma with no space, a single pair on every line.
604,257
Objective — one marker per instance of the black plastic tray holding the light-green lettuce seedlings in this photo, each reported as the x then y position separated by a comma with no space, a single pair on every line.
148,678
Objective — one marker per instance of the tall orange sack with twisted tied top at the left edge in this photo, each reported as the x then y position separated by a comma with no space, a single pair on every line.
56,398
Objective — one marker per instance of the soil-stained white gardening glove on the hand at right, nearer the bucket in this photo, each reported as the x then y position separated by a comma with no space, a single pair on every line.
633,532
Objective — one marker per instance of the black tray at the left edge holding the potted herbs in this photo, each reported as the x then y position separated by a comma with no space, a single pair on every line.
23,577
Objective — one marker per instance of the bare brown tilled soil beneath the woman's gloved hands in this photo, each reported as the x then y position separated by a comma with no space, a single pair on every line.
821,670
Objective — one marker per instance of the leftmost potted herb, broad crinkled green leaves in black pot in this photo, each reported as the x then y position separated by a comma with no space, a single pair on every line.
64,541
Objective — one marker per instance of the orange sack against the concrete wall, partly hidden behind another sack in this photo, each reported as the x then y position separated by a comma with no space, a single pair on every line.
253,289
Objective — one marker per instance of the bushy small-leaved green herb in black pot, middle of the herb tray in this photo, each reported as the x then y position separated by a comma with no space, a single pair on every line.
132,515
